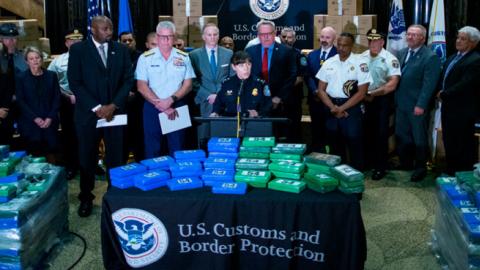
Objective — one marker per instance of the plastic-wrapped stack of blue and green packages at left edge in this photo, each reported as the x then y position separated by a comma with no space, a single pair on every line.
33,209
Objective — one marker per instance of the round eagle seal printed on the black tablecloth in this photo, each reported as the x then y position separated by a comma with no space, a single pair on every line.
143,236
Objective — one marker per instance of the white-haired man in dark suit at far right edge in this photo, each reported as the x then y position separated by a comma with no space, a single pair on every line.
460,102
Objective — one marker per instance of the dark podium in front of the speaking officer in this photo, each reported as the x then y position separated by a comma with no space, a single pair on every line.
249,126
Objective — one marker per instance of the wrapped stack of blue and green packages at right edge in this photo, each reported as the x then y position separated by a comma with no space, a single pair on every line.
456,229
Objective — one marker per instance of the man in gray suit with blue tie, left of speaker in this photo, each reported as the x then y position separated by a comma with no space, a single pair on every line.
211,64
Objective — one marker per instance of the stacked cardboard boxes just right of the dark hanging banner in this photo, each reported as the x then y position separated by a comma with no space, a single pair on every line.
345,16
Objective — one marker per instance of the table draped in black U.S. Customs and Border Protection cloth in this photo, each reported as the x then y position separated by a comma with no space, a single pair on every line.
264,229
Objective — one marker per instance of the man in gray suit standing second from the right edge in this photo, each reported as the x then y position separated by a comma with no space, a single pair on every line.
420,73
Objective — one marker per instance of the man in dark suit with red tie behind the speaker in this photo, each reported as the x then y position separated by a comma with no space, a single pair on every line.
276,64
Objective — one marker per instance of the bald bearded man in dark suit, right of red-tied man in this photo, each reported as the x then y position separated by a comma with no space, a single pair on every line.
317,109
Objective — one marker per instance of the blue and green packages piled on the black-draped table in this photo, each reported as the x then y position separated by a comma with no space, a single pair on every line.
231,166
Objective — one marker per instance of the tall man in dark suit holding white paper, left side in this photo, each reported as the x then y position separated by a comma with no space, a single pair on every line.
100,75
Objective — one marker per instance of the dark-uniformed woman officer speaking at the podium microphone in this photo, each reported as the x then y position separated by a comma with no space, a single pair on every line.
253,101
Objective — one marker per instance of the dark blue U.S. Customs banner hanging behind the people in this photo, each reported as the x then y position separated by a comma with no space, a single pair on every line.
238,18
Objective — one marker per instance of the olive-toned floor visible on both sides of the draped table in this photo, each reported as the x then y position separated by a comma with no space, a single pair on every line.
398,216
